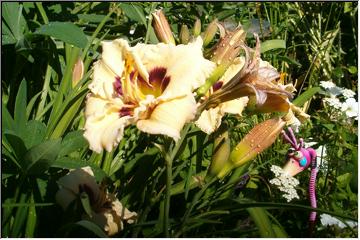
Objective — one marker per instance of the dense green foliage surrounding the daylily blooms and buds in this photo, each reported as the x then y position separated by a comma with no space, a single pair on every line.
43,121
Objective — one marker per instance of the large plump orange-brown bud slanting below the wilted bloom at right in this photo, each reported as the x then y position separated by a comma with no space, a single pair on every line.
256,141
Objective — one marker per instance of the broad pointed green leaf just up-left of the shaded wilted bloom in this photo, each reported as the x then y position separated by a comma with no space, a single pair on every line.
39,158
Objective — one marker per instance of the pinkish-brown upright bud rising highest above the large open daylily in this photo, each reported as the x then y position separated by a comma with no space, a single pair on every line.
162,28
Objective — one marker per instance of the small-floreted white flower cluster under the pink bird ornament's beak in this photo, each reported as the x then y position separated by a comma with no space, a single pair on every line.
285,183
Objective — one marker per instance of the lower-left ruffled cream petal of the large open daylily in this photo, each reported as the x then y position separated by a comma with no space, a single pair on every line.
104,127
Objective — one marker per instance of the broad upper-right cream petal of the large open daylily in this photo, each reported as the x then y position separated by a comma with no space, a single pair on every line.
185,64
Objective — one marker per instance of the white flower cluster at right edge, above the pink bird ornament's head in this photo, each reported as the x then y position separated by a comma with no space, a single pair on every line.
349,106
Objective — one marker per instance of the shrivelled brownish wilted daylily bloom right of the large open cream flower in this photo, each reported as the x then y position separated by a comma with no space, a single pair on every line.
256,80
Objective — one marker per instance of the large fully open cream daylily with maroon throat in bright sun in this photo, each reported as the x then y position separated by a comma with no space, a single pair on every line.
147,85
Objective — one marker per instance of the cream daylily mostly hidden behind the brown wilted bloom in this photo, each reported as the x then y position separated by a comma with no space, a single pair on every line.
210,119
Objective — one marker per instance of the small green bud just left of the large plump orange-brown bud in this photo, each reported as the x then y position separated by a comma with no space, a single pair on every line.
221,153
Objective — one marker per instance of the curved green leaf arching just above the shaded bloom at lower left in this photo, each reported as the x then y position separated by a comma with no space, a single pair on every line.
70,163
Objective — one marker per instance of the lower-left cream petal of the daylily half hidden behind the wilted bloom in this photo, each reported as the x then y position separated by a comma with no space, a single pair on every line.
210,120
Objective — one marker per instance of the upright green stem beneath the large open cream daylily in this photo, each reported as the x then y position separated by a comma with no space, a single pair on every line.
169,157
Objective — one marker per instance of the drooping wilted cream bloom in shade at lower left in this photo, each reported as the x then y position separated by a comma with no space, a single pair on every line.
106,210
